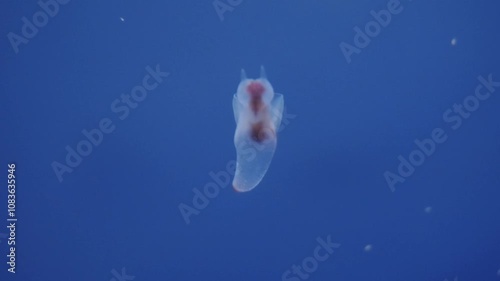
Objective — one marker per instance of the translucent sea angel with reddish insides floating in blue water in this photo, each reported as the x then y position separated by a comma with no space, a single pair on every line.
257,111
